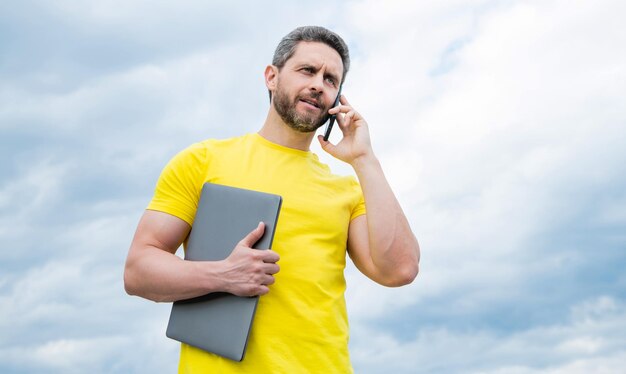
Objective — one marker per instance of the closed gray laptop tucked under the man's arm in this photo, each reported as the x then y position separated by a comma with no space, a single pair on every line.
221,322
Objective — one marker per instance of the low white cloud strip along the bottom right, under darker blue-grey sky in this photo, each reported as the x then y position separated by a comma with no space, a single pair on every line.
593,339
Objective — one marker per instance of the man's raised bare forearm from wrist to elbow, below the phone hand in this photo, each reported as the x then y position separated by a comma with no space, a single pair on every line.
393,247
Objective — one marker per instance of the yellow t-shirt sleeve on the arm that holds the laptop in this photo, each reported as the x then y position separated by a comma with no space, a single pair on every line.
178,189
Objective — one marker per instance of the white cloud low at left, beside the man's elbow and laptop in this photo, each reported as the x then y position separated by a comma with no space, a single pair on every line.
71,313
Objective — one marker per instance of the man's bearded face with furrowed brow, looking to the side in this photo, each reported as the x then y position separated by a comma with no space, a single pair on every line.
307,85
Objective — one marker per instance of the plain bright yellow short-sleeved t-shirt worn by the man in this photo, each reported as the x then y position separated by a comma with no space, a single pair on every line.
301,325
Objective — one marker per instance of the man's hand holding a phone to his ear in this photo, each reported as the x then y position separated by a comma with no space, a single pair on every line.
355,144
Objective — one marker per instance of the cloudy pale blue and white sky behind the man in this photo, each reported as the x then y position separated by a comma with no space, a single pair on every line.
500,126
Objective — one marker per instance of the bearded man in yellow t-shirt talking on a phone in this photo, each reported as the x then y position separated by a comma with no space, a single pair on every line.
301,323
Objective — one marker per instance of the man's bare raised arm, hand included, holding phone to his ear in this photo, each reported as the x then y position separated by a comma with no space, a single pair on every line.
380,243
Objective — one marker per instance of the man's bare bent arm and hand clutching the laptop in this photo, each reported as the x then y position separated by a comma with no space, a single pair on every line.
154,272
